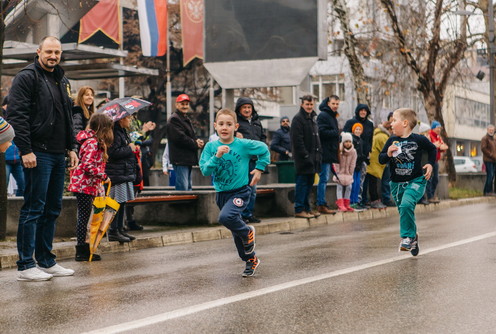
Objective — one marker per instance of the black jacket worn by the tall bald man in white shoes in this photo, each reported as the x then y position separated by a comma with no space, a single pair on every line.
31,109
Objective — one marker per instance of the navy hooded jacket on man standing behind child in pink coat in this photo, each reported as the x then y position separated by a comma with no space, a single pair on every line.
328,132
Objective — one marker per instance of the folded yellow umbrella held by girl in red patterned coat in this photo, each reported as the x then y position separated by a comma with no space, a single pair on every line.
104,210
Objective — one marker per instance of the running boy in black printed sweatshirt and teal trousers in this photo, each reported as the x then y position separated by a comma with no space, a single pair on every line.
403,151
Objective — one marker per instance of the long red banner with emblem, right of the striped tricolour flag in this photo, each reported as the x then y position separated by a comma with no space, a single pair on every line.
192,29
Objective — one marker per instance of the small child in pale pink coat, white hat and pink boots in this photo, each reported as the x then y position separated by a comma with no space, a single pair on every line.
344,171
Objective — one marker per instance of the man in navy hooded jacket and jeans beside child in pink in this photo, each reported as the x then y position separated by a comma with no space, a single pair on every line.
329,138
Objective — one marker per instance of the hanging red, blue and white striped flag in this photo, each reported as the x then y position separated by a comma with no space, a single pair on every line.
153,27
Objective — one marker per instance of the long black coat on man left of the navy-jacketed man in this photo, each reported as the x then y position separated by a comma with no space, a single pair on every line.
307,152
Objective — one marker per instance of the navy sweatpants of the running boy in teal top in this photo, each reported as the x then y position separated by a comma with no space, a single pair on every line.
231,204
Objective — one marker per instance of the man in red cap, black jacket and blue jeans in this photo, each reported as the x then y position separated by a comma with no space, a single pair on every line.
183,144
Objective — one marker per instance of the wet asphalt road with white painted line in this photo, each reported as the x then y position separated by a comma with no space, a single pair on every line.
341,278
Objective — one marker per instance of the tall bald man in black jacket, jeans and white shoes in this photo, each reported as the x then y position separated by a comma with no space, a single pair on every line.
40,112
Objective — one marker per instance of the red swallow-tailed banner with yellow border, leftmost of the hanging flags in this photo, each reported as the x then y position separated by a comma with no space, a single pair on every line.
104,16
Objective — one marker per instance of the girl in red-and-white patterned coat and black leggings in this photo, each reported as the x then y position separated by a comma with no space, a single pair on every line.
86,180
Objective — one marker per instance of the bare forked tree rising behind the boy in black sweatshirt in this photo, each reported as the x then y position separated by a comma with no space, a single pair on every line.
433,64
